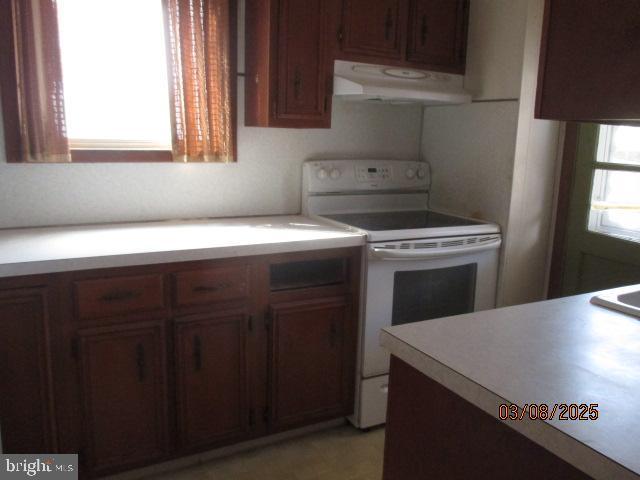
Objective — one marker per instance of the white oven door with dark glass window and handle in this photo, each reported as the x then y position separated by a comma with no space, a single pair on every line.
421,280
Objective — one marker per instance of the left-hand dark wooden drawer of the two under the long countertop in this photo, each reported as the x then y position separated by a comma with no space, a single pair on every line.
116,296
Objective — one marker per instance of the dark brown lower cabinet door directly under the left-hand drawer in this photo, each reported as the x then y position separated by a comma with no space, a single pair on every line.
124,395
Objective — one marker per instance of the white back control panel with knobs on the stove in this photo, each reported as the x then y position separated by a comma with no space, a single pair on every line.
330,176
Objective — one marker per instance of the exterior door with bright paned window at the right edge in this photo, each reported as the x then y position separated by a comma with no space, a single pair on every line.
603,237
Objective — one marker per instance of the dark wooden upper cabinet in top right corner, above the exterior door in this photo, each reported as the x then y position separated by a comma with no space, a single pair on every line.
590,61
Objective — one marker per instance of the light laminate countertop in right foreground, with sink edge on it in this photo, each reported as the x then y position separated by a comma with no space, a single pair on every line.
564,351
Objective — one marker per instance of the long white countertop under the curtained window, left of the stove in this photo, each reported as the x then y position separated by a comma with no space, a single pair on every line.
28,251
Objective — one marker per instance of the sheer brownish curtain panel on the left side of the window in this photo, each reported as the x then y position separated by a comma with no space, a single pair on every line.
39,77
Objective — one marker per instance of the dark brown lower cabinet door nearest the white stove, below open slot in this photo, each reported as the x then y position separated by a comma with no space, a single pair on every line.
311,363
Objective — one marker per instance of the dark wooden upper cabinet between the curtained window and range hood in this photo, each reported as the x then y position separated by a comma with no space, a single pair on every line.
288,70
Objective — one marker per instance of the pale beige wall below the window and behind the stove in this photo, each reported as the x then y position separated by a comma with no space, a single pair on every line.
266,179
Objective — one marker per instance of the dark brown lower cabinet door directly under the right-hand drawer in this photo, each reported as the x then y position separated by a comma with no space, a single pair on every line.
212,378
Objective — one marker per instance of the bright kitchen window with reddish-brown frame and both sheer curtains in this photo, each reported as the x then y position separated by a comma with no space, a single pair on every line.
116,80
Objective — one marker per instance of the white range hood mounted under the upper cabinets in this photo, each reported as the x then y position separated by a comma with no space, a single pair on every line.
379,83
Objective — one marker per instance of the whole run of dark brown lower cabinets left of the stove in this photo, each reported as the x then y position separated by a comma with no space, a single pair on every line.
138,365
